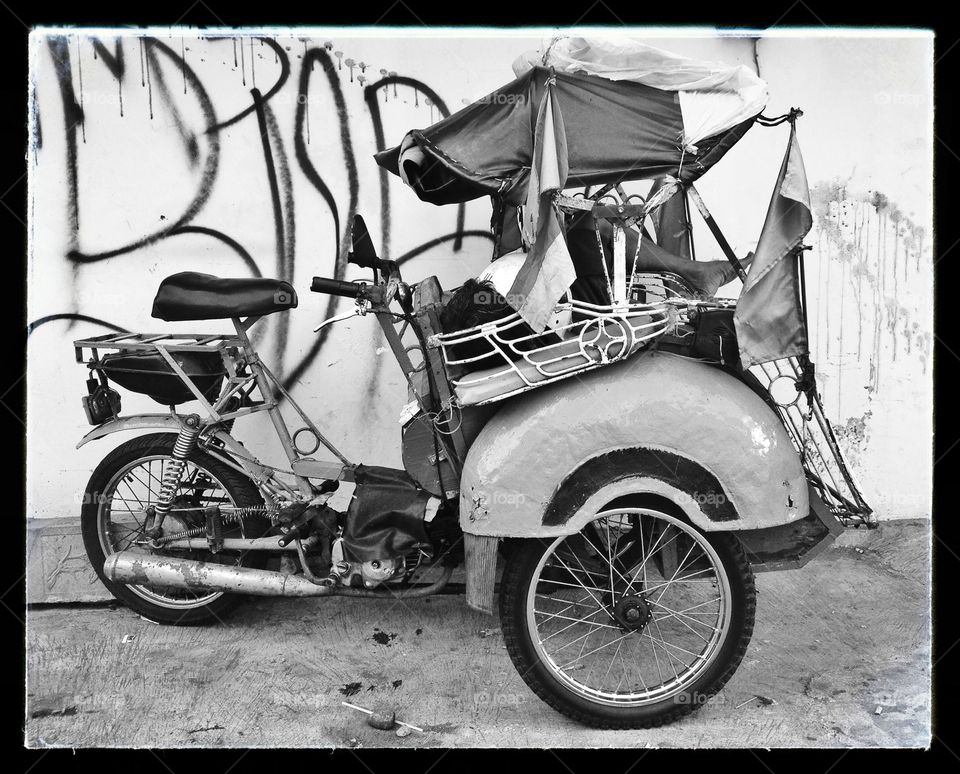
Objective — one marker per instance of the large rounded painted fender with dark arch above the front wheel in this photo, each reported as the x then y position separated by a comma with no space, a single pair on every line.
659,425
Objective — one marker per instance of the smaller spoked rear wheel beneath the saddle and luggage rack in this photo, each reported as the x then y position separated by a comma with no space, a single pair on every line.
113,518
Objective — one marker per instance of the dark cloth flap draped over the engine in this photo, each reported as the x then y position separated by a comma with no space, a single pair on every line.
385,517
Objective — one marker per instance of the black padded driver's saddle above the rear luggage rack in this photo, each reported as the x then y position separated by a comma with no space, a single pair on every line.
190,295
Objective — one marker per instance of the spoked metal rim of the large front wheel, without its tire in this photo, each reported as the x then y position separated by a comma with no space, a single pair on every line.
631,610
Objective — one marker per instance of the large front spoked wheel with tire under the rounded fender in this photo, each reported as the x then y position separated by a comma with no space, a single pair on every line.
632,622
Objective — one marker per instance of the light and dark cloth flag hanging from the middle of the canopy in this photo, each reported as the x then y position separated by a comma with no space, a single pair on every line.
548,270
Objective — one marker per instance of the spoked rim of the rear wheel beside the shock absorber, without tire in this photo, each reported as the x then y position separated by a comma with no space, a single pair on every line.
120,519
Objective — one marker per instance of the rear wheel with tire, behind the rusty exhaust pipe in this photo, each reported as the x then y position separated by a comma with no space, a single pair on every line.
104,489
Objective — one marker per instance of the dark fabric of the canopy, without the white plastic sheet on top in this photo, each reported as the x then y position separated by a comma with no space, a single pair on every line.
616,131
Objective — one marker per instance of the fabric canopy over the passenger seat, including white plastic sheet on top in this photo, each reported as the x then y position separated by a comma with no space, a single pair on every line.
629,112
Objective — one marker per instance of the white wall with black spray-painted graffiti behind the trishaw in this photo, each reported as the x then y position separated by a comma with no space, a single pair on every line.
866,132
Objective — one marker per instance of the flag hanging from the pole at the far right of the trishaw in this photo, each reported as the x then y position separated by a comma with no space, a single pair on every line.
769,315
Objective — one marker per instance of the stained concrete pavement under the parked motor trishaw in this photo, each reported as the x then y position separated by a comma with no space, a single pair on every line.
840,657
